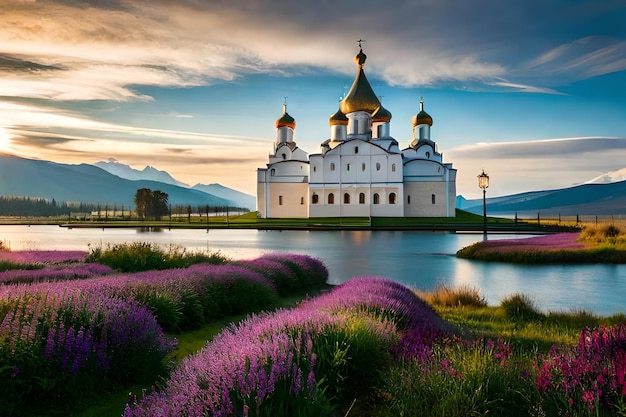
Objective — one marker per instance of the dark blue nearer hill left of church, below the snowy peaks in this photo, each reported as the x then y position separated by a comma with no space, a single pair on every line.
88,183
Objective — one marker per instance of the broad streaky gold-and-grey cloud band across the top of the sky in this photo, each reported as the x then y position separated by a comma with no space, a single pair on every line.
100,49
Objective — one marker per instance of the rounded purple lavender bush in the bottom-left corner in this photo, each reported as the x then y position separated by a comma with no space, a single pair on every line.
61,346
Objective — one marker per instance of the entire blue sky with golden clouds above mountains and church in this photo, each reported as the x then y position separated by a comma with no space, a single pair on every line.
533,93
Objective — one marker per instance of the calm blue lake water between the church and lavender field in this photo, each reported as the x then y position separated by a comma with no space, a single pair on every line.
418,259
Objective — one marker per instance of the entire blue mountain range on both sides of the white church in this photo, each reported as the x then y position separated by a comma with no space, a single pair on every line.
111,182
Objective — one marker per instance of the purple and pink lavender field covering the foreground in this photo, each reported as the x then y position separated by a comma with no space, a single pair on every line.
71,329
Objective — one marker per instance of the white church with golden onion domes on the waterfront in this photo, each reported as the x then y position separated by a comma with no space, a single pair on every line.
360,171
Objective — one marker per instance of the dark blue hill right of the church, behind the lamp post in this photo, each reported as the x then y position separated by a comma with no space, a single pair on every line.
586,199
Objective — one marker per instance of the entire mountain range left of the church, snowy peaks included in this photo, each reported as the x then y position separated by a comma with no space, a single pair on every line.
98,185
